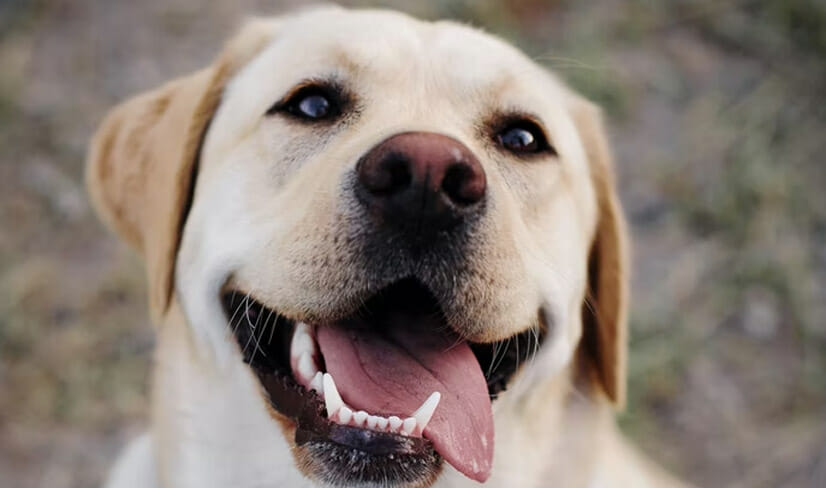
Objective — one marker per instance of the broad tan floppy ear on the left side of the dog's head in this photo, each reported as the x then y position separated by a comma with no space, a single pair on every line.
142,160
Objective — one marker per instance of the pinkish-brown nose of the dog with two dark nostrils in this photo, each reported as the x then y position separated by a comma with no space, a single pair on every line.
420,179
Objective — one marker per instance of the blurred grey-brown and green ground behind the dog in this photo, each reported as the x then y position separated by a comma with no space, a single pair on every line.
717,112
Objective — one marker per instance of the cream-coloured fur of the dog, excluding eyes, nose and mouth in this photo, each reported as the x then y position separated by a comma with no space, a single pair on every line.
267,205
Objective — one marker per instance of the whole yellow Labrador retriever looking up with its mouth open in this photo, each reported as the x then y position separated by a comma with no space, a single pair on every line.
381,252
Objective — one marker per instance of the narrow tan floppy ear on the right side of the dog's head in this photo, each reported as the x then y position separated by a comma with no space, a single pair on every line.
605,328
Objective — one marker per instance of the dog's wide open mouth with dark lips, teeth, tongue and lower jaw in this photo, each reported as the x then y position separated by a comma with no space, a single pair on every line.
386,393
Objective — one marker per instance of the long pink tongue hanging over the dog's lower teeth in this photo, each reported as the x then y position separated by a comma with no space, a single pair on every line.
393,373
